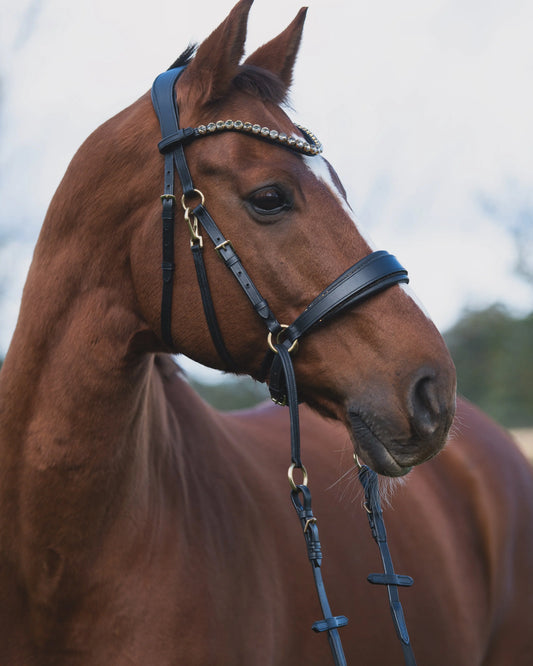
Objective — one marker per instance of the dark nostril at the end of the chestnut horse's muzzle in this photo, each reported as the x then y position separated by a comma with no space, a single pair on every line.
425,408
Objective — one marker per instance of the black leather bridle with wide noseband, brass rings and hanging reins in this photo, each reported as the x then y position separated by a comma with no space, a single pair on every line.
373,274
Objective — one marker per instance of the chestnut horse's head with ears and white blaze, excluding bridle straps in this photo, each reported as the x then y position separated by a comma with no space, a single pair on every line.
382,367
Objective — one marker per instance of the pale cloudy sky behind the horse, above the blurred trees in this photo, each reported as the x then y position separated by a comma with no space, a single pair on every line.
424,107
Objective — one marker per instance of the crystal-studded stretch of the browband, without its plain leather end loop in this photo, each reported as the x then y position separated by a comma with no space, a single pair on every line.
308,146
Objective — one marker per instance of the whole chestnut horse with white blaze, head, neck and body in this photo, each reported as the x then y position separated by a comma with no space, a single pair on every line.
141,526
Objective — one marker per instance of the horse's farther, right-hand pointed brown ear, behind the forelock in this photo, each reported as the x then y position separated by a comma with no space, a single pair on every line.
279,54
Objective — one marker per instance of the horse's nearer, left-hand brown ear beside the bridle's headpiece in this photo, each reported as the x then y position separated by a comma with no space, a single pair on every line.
217,60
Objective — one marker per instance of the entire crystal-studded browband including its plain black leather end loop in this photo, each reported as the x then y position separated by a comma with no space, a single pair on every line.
310,145
